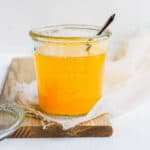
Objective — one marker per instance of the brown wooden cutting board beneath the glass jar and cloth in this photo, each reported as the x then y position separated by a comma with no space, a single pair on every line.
22,70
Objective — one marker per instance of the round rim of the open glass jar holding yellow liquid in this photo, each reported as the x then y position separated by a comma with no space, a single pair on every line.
37,34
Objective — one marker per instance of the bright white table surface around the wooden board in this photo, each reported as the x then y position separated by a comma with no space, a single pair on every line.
131,131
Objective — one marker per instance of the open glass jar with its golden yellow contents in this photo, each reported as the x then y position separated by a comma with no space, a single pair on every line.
69,63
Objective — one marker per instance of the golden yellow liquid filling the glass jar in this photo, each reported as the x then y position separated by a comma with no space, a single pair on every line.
69,85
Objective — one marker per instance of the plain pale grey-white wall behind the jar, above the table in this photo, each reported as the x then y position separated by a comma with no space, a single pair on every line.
17,17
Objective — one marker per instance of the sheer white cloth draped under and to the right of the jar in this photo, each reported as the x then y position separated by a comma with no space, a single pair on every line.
126,83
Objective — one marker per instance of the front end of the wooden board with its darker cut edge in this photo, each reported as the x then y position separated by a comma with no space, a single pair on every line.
97,127
